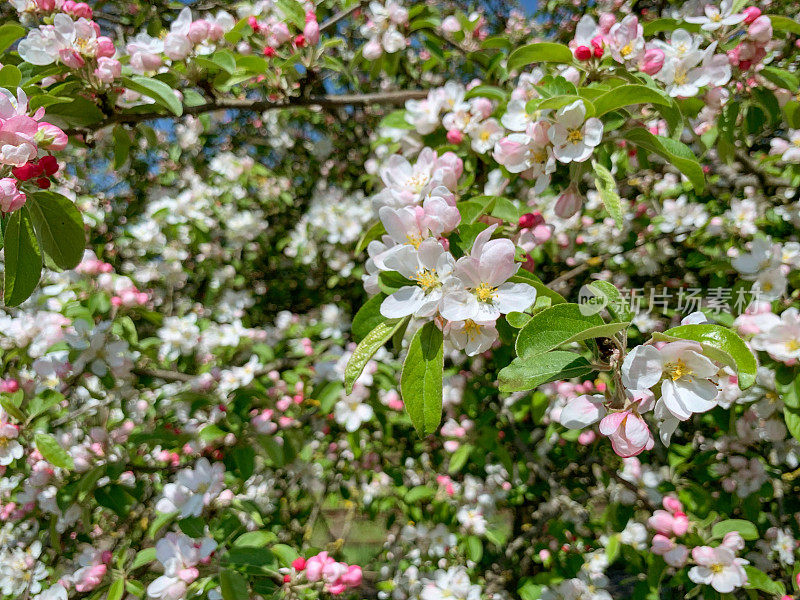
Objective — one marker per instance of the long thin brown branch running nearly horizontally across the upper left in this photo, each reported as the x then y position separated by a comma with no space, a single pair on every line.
327,101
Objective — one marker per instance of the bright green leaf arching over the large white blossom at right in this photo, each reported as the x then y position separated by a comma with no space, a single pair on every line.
720,344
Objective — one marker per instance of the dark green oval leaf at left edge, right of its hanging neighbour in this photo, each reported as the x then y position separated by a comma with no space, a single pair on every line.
59,225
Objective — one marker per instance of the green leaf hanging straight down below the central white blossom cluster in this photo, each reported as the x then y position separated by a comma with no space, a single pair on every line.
421,380
